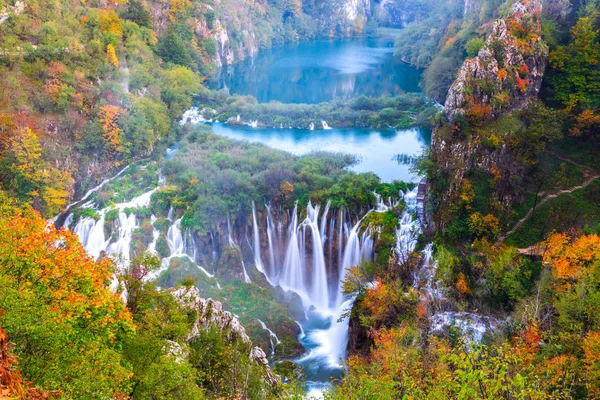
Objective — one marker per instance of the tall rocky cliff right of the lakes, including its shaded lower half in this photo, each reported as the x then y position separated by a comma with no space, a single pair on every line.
484,139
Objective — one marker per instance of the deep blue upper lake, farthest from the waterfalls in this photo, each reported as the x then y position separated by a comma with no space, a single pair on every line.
323,70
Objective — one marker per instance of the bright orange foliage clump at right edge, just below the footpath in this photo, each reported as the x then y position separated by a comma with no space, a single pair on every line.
570,260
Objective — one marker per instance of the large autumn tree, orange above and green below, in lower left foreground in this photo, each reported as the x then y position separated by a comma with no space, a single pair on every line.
66,324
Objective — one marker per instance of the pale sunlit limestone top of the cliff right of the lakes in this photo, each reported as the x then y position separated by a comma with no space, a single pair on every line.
508,70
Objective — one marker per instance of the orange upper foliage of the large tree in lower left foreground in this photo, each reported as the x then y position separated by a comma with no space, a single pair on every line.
72,282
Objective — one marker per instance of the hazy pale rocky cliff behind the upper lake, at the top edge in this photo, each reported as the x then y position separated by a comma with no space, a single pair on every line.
227,31
